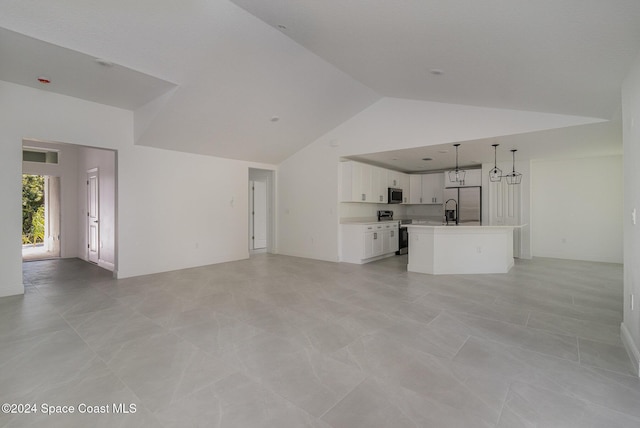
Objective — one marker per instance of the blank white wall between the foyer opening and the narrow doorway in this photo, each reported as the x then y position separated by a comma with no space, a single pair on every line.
178,210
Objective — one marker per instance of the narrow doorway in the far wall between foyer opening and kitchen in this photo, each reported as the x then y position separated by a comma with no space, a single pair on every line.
260,210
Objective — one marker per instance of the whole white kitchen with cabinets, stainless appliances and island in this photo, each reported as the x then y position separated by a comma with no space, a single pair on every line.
434,217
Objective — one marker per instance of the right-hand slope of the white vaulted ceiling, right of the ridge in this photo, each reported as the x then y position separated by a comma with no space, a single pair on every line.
556,56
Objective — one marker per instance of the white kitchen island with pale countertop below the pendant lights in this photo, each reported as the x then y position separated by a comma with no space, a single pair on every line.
460,249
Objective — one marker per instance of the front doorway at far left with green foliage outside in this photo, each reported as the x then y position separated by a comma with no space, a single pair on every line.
40,217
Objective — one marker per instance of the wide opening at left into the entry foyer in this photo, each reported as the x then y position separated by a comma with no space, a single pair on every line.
78,188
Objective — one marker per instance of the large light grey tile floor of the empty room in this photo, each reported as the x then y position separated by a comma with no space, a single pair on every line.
277,341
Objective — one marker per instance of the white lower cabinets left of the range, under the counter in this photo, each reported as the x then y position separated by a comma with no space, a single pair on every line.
363,243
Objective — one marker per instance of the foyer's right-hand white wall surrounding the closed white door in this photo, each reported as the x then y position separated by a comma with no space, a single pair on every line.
105,161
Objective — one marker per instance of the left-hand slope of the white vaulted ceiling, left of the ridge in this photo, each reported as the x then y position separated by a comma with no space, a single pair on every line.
233,72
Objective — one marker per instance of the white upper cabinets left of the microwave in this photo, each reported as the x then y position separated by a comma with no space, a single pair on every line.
363,183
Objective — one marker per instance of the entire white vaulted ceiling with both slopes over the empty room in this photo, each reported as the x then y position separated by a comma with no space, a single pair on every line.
259,80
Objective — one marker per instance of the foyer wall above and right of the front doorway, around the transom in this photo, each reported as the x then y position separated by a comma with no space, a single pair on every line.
66,169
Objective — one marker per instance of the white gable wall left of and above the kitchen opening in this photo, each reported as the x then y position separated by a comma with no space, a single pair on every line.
308,180
